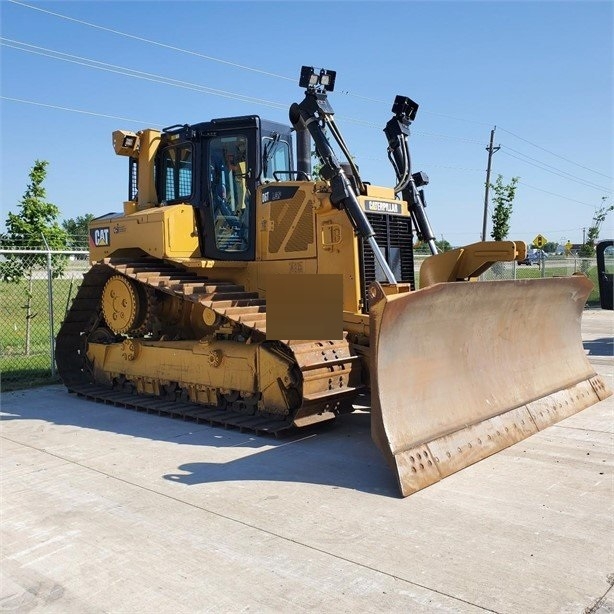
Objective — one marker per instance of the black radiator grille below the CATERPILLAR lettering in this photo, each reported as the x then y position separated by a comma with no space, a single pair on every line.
393,234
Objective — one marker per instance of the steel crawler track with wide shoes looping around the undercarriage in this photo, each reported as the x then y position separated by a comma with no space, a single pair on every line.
330,373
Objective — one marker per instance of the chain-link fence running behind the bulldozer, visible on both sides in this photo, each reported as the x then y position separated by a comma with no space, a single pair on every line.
34,304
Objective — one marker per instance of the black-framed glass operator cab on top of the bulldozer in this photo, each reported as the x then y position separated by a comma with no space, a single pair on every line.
216,167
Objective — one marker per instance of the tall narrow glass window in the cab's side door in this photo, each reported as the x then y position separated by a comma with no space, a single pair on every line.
230,195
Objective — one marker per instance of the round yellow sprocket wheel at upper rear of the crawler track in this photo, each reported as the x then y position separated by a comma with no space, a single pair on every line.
124,304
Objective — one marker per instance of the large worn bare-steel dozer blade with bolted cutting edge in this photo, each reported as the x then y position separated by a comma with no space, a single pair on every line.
462,370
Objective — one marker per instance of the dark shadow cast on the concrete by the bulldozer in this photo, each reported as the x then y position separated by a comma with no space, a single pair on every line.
339,454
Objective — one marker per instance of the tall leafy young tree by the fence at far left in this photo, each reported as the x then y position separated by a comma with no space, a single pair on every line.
35,226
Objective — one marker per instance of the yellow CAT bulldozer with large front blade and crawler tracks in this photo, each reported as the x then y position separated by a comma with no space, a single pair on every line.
239,289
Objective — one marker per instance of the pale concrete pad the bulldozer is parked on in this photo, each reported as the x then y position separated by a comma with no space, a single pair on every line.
106,509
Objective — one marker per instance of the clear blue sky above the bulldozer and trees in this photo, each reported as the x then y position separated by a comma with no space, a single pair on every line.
542,72
